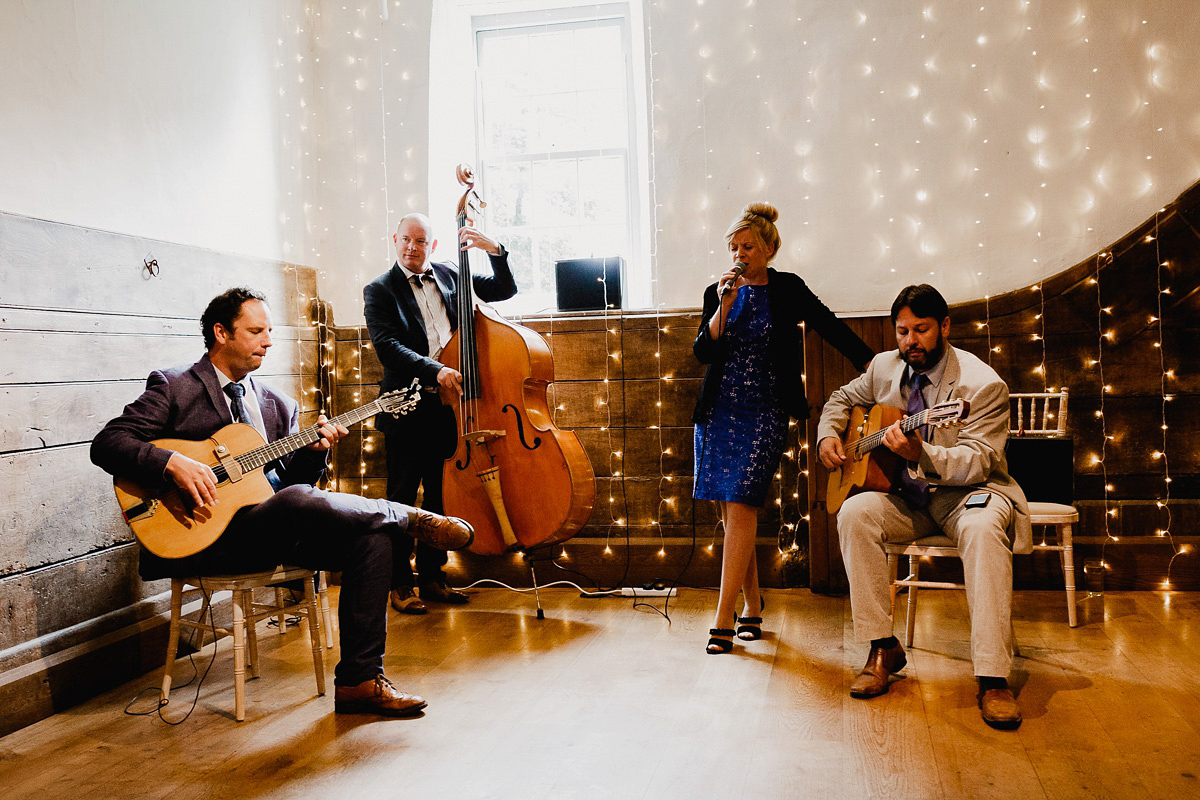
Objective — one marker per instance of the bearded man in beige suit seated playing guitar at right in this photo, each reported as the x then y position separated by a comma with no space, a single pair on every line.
956,484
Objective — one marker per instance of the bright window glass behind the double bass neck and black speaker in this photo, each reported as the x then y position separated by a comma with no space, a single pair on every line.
556,139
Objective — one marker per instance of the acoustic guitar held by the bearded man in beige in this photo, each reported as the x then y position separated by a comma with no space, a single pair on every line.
871,468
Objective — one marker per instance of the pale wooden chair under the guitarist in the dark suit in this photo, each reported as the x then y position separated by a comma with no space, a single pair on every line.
247,613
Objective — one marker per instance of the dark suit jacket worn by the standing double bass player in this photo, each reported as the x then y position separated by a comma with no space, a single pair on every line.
398,329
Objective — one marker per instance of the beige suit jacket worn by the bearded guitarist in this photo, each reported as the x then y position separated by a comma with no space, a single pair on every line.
971,455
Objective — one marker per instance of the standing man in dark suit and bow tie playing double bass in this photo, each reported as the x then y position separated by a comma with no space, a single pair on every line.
411,312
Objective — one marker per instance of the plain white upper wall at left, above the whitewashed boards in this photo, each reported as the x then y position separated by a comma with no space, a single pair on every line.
153,118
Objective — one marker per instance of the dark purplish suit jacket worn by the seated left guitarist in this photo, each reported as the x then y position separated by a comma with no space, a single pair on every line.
188,404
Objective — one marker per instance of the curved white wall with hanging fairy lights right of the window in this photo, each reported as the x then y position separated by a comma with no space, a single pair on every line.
975,146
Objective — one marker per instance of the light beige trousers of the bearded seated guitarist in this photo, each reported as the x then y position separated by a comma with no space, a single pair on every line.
868,521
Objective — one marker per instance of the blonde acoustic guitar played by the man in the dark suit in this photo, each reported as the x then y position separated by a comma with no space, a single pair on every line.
169,522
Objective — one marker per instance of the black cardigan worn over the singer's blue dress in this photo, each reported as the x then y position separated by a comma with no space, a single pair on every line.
791,303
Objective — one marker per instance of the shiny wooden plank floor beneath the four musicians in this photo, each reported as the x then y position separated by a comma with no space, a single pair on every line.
602,700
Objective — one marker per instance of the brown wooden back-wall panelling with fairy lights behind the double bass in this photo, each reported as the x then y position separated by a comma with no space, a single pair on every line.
653,494
